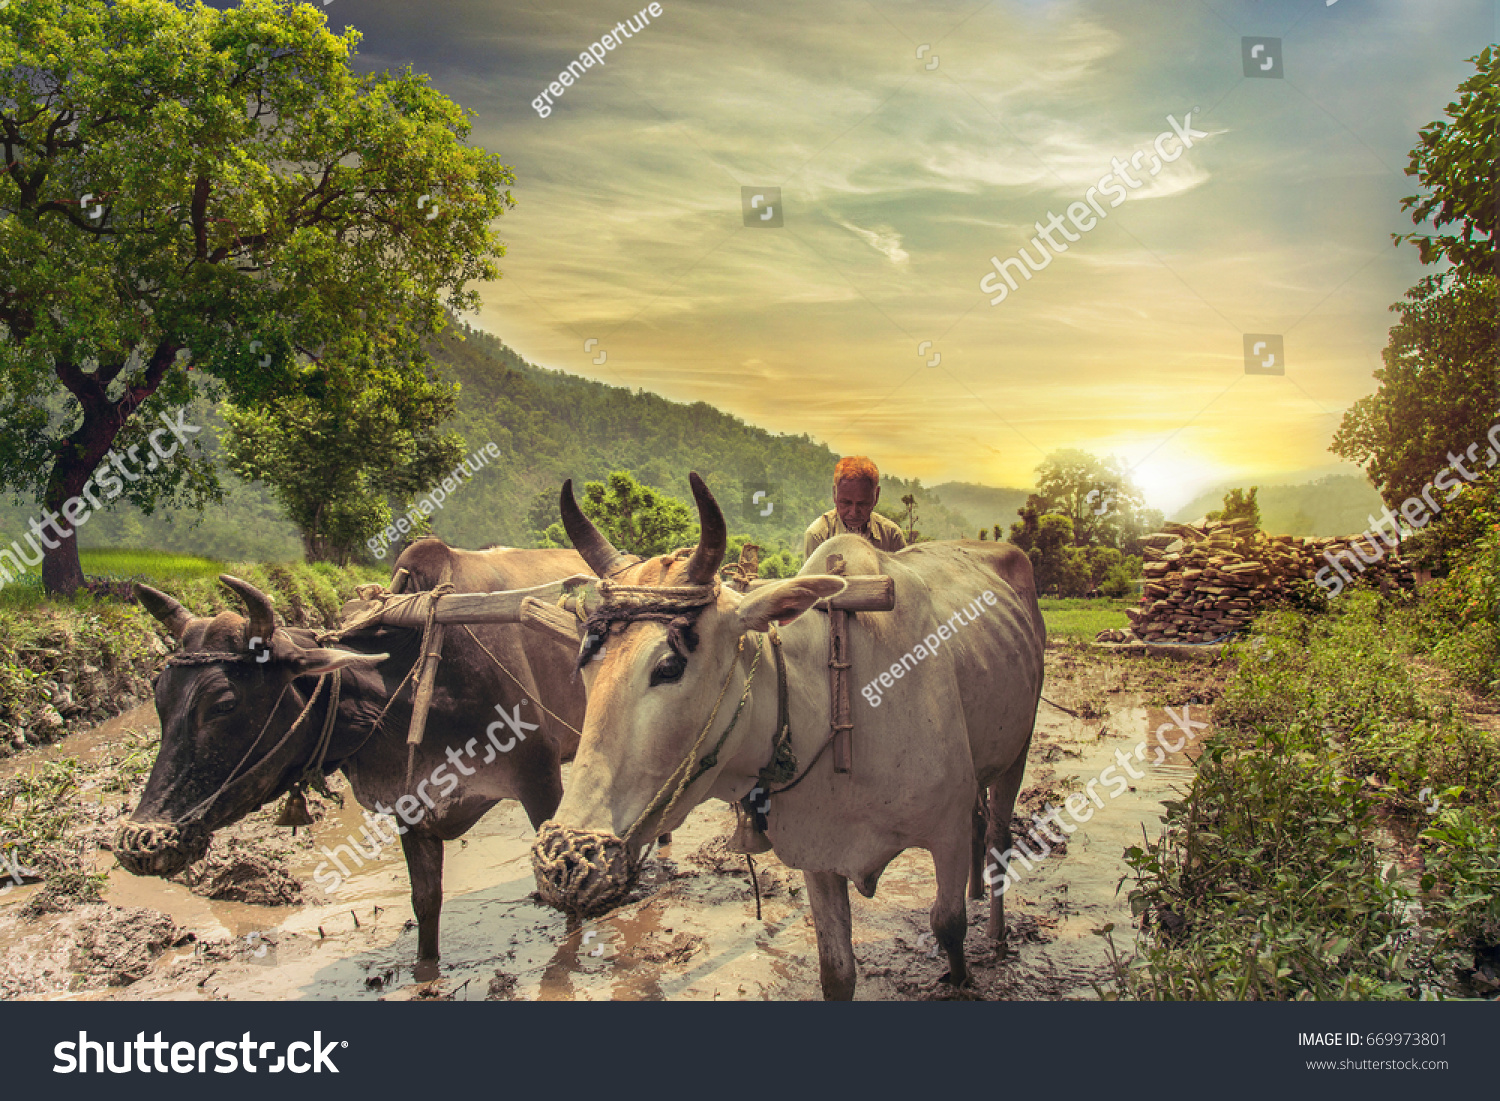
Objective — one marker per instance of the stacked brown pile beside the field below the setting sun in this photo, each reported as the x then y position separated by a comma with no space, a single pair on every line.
1207,583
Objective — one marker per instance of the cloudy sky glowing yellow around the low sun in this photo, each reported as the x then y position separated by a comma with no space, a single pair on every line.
914,142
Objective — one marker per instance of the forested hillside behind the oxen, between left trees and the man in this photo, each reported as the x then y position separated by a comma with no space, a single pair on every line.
553,427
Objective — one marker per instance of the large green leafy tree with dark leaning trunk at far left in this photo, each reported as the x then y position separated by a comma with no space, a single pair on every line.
190,188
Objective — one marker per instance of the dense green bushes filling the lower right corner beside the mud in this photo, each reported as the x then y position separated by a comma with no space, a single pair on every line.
1270,881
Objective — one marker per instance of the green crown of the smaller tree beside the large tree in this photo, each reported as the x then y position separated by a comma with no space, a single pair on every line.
337,458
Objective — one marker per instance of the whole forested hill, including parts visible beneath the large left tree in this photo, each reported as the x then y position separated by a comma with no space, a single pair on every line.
548,427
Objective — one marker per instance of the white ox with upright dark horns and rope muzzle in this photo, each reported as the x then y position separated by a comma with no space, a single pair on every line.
953,727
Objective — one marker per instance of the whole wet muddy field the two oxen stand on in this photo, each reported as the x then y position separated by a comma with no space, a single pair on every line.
253,925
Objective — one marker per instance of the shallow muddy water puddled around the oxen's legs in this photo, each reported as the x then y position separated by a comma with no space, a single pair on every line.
695,937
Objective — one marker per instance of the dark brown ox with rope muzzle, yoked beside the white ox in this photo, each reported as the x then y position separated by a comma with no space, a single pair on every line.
226,722
